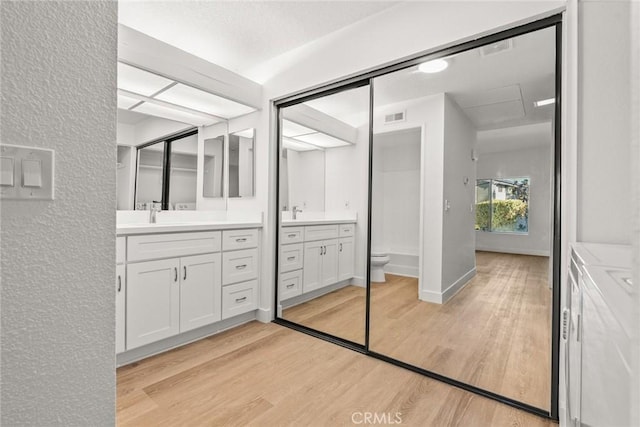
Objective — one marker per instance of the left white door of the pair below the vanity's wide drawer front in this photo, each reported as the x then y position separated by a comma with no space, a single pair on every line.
153,305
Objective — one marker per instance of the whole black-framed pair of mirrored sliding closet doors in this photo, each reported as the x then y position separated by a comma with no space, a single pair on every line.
419,214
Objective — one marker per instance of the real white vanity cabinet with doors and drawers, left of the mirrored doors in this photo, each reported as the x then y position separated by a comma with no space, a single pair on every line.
177,282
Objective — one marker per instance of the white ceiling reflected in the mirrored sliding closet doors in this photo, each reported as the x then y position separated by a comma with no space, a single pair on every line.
495,90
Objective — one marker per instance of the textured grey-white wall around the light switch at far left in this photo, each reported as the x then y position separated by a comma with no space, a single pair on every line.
58,91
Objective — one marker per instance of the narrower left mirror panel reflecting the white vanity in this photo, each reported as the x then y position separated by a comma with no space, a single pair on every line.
323,179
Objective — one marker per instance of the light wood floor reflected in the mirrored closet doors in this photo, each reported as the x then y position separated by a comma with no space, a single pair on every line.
494,334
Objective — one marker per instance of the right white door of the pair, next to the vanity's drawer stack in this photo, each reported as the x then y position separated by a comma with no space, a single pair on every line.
200,290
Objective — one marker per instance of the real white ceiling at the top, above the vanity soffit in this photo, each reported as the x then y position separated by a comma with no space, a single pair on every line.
240,35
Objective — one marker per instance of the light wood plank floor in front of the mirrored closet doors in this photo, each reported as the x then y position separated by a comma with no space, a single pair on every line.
268,375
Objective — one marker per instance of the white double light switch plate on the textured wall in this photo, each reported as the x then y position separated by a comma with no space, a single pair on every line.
34,170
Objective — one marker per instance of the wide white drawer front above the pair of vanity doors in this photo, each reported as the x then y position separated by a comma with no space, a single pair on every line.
151,246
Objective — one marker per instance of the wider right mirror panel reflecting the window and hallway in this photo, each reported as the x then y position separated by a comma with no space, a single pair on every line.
460,253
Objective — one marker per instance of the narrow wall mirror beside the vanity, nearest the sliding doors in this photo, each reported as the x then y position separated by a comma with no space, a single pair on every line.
241,163
